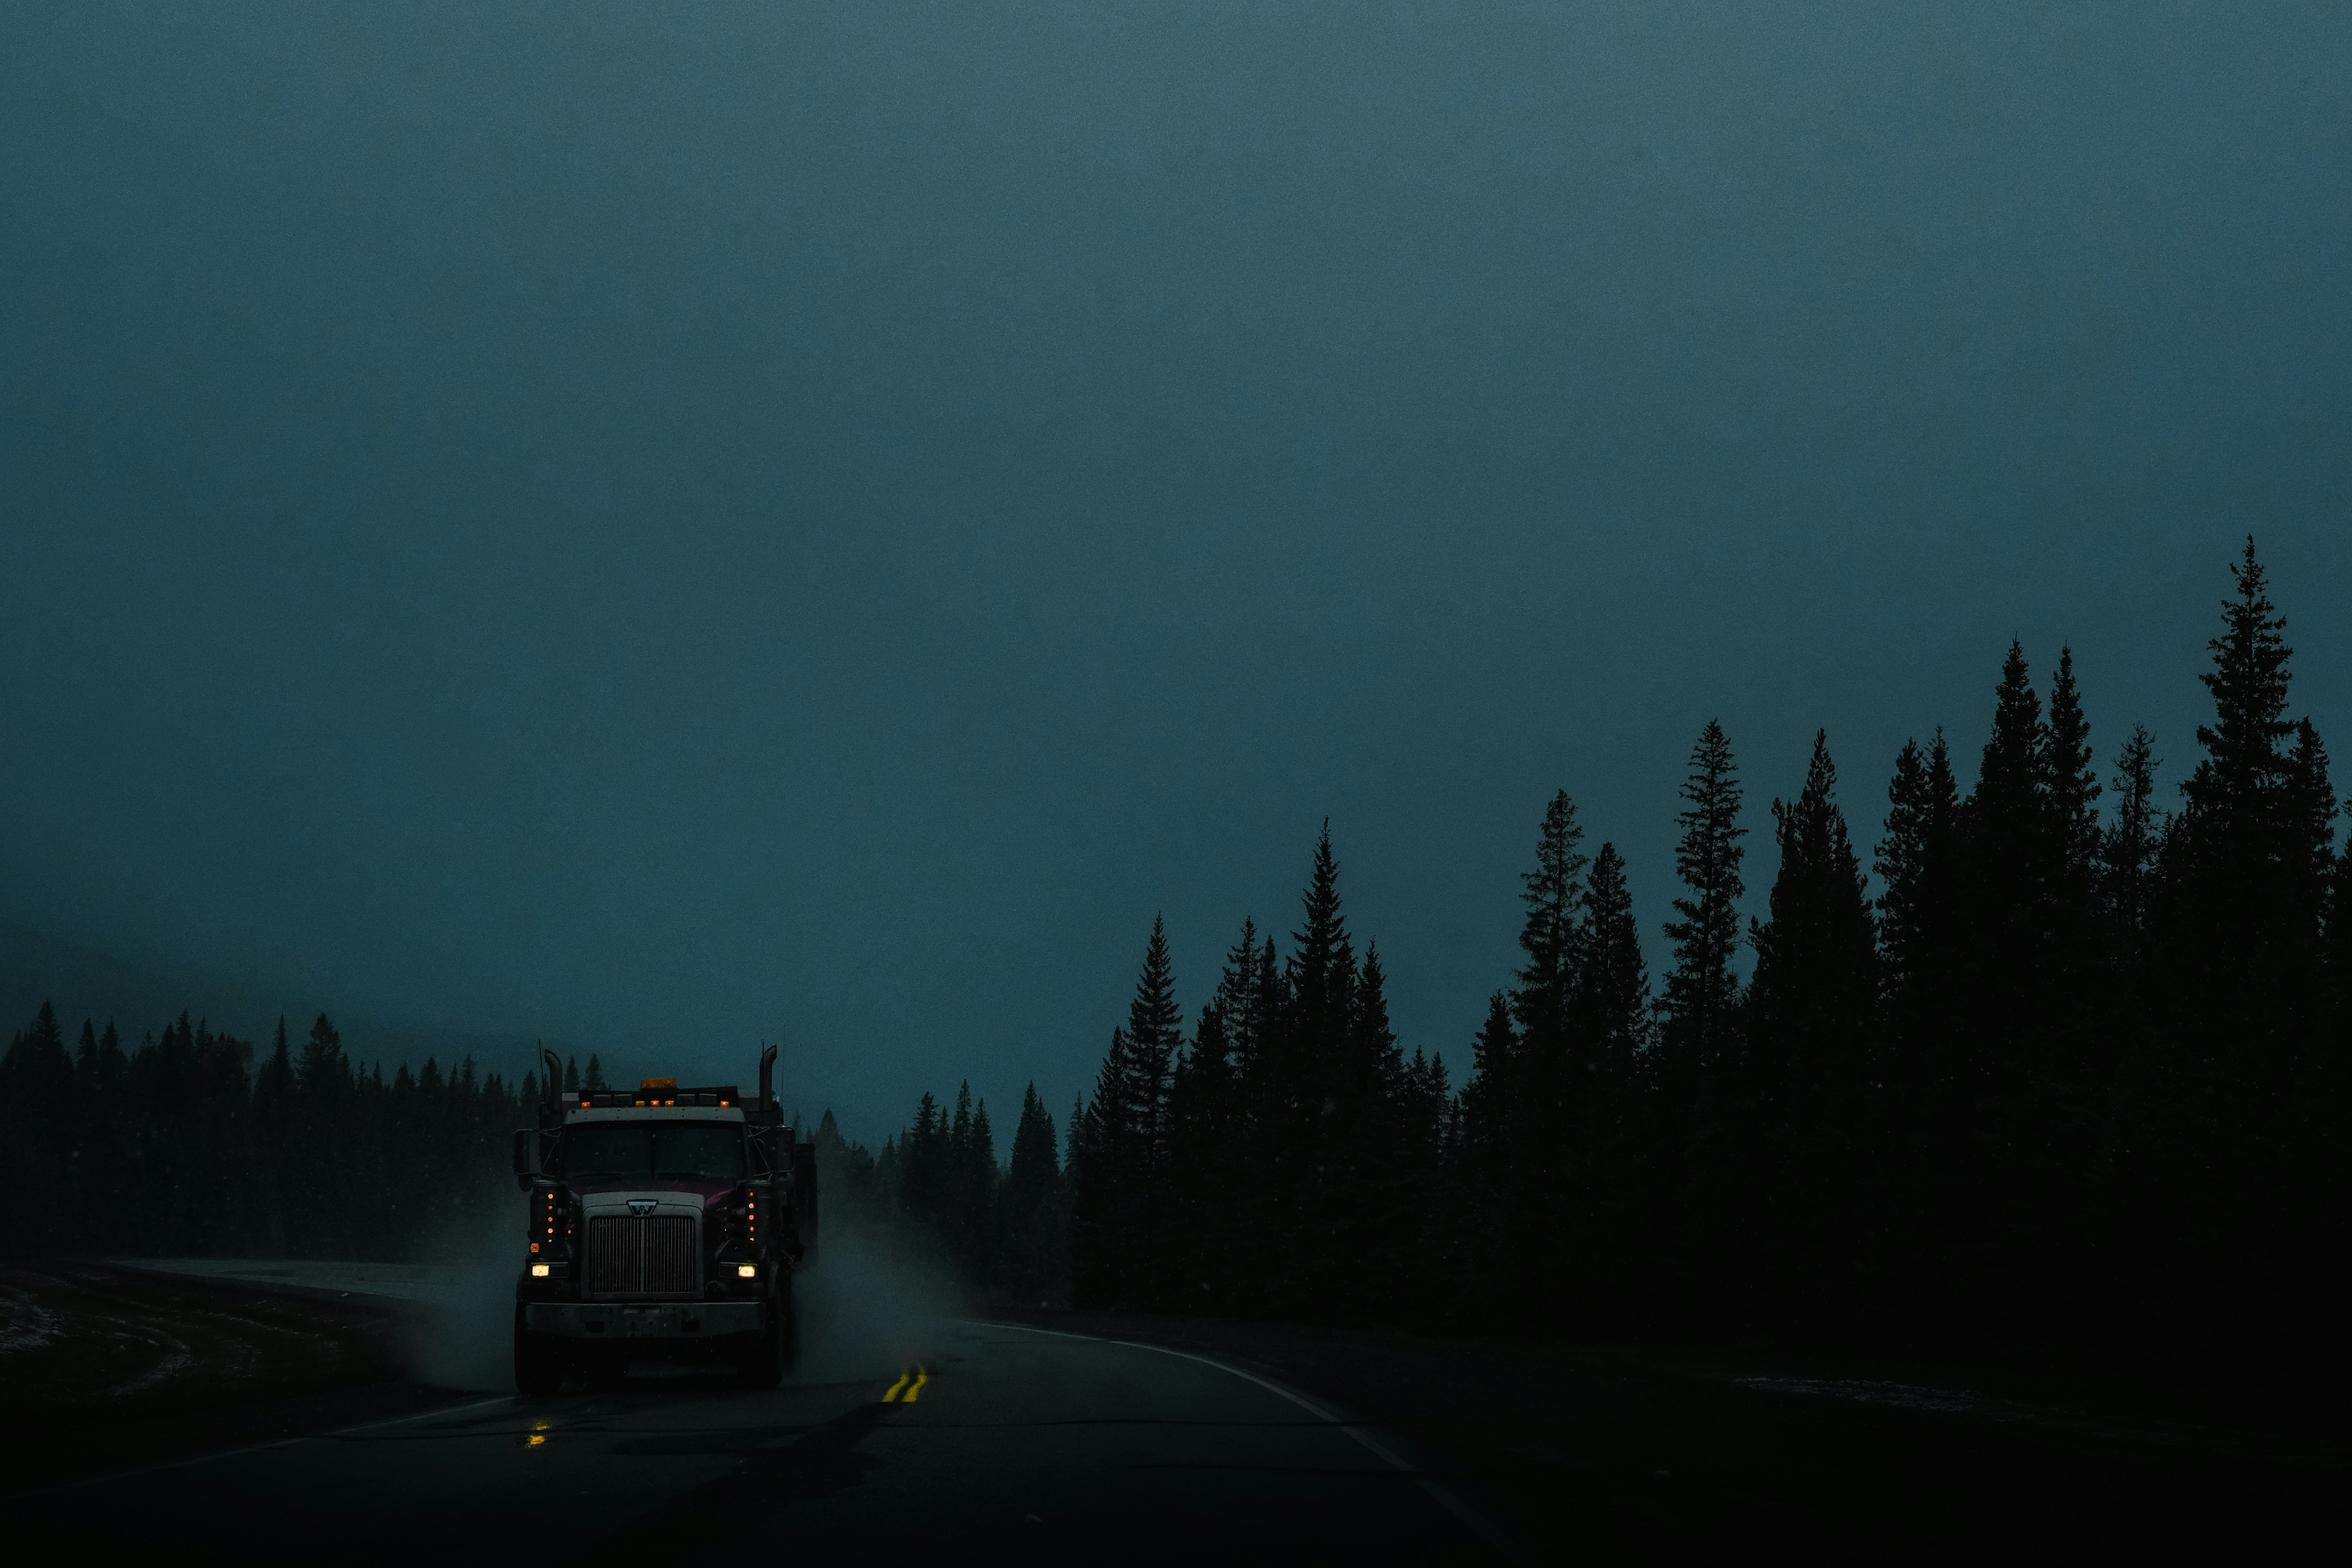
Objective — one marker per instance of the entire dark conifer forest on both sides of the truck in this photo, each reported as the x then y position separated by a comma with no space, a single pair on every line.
2057,1061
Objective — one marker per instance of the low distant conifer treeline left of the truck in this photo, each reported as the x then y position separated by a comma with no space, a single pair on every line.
199,1146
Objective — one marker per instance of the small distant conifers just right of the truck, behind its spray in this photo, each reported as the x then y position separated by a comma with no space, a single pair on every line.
940,1184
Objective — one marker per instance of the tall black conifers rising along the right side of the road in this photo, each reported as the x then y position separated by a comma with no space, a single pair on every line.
2071,1071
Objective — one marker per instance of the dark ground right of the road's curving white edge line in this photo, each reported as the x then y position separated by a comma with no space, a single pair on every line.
1659,1456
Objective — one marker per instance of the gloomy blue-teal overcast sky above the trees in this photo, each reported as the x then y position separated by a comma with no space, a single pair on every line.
683,525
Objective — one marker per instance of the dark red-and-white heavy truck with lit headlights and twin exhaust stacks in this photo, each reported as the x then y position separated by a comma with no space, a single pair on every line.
664,1221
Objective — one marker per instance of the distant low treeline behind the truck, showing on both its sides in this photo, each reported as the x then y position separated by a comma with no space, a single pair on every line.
196,1146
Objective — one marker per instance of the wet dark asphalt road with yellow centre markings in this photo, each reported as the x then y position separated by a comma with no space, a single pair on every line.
996,1445
